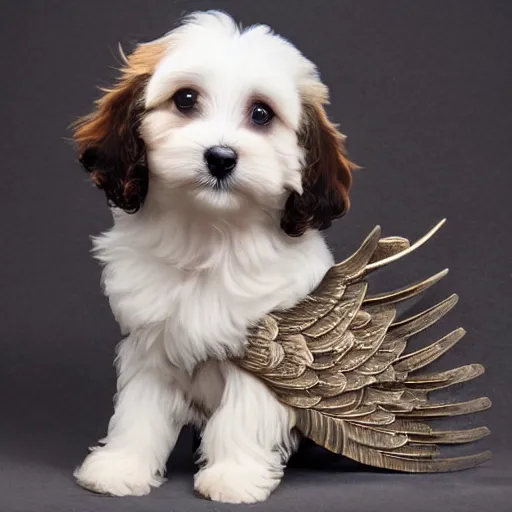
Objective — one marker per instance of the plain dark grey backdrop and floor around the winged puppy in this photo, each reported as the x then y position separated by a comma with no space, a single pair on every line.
423,90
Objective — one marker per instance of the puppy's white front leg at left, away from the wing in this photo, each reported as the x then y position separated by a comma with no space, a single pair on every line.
149,414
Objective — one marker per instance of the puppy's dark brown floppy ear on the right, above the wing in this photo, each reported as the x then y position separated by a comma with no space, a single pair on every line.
326,179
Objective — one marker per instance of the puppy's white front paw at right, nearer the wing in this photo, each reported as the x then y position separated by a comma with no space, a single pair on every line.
236,483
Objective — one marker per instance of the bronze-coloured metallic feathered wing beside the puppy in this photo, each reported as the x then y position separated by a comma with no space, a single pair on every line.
337,358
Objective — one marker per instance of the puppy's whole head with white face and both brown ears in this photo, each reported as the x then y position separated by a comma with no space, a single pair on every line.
220,120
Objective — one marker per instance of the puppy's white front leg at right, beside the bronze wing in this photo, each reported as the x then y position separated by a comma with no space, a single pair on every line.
246,442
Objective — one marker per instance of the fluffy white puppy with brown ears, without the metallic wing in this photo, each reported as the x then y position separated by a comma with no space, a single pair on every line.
221,168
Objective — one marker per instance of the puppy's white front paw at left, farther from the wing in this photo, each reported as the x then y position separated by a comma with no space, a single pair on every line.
116,473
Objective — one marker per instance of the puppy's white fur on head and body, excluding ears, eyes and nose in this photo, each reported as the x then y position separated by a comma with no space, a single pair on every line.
195,267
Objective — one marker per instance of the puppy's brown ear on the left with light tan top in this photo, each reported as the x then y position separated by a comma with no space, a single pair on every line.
109,144
